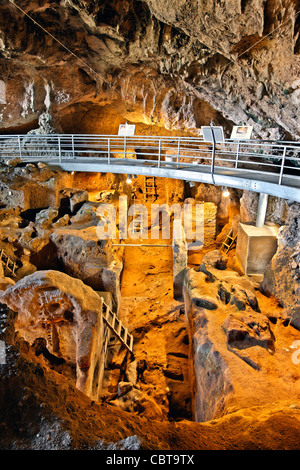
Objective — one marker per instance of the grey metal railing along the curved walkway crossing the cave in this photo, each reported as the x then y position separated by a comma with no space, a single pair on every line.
276,162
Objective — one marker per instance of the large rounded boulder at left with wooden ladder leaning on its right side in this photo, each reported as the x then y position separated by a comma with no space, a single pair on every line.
60,317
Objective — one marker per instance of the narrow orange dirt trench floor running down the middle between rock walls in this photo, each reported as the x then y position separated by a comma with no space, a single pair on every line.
162,383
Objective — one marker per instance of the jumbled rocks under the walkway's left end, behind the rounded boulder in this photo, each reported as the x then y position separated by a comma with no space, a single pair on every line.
55,227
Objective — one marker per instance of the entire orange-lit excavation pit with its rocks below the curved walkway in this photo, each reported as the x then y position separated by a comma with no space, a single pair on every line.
202,331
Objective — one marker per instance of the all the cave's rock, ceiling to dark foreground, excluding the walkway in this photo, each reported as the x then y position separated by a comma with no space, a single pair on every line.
210,344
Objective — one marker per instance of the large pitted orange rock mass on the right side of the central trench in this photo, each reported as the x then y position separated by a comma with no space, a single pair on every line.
240,348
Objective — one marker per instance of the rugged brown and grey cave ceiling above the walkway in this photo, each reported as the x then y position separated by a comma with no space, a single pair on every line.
169,66
